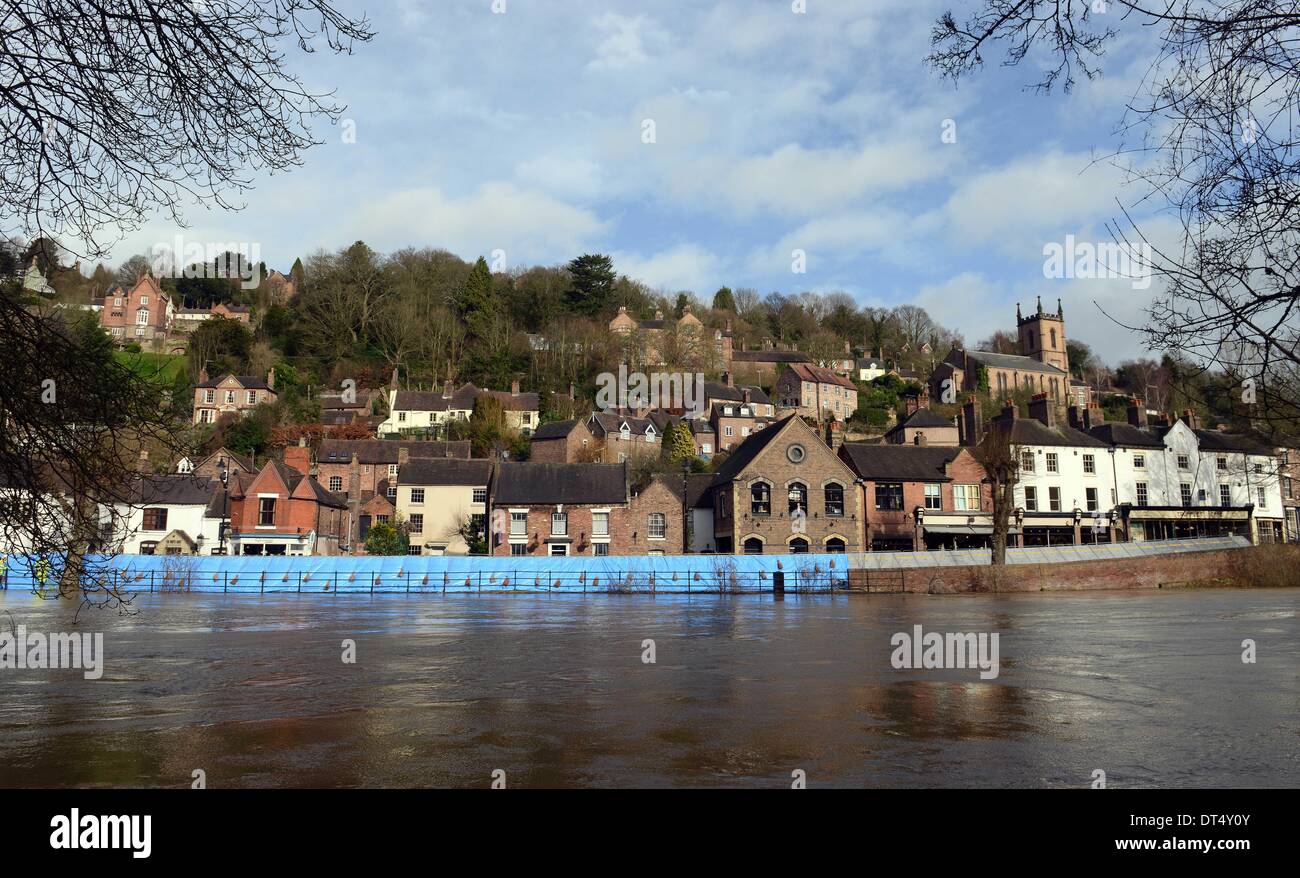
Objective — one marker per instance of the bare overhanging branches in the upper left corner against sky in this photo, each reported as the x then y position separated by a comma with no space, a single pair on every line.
112,111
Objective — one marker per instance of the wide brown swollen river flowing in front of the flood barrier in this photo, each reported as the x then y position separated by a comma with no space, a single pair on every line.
556,691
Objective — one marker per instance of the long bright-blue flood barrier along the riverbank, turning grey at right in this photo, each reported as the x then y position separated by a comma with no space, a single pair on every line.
619,576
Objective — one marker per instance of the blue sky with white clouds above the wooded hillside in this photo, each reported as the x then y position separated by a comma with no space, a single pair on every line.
773,132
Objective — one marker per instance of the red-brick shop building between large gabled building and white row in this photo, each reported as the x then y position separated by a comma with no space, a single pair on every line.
921,498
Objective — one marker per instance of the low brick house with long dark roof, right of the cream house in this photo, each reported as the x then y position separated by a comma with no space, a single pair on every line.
561,509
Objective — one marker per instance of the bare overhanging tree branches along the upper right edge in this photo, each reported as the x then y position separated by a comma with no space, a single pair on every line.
1216,132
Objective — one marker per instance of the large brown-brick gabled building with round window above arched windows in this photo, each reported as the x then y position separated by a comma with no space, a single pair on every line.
785,491
